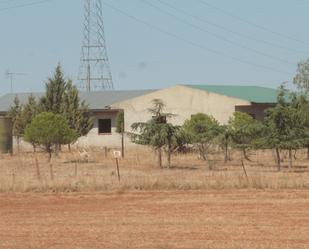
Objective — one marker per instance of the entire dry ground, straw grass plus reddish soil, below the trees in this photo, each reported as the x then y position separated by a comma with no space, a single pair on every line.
187,206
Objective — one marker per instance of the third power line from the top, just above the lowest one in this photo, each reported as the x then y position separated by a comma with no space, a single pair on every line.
220,37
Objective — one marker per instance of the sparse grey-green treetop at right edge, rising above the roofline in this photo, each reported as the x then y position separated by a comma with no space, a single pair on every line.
301,79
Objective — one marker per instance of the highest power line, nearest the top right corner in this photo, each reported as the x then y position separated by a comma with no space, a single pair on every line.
252,23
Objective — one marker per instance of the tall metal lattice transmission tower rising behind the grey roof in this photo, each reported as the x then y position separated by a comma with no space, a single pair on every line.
94,72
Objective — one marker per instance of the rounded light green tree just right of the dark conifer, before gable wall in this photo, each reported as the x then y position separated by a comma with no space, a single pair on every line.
202,130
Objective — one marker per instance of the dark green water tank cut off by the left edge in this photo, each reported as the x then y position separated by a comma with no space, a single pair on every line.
6,136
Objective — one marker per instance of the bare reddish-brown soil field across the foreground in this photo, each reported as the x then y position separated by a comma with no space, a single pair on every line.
220,219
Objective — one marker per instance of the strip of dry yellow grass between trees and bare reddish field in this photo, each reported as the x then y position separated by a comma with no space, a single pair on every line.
73,173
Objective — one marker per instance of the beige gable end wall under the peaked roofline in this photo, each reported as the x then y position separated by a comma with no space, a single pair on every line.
182,101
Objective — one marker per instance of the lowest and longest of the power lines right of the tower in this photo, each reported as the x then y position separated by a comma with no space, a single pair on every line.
192,43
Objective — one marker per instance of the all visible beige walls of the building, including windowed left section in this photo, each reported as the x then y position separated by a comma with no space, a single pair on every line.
180,100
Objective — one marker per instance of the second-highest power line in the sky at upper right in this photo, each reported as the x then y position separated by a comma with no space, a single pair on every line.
275,45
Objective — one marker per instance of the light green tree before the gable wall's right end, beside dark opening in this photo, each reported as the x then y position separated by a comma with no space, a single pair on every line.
244,129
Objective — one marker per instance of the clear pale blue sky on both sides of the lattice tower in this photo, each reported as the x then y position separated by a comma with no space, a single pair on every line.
152,45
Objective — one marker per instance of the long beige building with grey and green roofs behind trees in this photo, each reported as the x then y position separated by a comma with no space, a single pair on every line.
182,100
